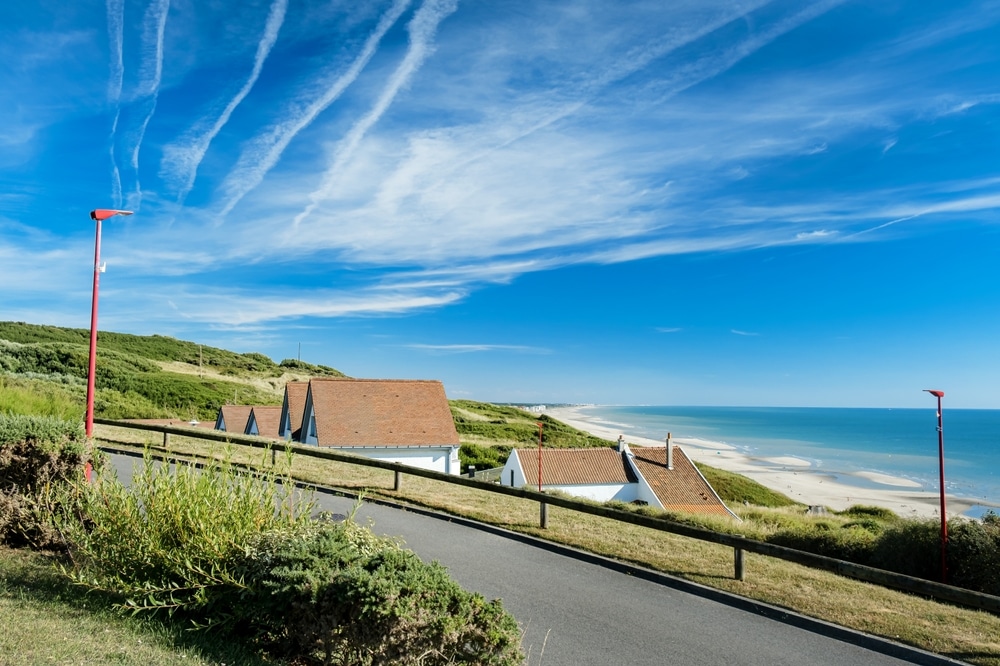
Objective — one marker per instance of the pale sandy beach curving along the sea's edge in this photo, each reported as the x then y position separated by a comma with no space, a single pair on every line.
792,476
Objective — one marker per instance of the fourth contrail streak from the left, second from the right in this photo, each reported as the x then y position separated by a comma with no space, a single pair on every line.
261,156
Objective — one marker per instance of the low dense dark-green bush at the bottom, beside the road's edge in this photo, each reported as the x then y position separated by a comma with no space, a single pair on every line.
340,593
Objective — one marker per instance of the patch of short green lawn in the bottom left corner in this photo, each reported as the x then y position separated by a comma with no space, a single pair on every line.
46,620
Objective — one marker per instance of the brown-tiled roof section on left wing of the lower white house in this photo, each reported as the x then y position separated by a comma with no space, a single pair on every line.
576,467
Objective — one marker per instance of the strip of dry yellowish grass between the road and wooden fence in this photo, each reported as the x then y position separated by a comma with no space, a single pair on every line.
959,633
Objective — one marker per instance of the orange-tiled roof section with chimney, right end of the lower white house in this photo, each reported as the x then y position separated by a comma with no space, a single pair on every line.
682,488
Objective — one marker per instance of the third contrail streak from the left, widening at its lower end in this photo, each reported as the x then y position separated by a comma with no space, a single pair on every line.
185,160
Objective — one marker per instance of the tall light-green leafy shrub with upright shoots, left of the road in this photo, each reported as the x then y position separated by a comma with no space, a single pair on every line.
162,543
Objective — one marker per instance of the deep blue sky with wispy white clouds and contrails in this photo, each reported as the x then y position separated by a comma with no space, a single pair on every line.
688,203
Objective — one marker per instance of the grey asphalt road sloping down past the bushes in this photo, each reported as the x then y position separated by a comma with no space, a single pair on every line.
576,612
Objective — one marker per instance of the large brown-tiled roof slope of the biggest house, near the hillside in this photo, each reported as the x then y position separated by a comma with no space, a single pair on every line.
381,412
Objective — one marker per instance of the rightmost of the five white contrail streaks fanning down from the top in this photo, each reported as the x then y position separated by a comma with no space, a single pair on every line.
422,29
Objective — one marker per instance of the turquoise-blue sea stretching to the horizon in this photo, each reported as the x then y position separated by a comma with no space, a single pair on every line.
840,441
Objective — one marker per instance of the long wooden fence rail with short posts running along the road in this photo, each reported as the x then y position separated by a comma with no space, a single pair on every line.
919,586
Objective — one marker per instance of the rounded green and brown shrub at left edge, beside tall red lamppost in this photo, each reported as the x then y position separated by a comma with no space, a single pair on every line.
37,454
